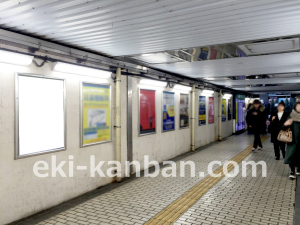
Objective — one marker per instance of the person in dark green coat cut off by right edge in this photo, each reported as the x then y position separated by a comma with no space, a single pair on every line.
292,156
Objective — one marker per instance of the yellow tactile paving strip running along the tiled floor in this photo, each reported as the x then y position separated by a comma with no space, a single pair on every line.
172,212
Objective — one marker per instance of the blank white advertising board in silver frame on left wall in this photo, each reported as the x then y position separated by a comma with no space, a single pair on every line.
40,115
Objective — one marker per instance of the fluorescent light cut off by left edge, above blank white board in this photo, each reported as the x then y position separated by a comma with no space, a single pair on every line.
15,58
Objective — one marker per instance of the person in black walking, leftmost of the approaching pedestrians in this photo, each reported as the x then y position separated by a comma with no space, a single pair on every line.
256,118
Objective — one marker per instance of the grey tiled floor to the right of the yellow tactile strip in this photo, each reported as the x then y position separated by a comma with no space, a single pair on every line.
248,200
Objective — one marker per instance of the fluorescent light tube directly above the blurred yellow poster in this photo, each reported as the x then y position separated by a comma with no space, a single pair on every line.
81,70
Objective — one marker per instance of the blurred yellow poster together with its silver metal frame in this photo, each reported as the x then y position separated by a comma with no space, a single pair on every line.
87,102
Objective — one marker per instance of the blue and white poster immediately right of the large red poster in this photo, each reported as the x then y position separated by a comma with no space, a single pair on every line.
168,104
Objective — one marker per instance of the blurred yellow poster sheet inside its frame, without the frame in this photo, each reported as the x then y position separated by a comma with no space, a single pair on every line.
96,112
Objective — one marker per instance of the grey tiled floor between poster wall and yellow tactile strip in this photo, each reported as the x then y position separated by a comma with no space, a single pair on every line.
139,200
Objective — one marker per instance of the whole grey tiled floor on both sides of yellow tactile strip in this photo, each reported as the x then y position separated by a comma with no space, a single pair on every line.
232,201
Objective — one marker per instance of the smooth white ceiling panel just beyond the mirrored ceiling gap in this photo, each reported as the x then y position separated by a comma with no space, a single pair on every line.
254,65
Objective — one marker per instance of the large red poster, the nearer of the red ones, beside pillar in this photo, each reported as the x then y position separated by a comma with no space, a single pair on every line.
147,112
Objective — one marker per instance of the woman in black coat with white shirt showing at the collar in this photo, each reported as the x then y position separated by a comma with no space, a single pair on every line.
277,121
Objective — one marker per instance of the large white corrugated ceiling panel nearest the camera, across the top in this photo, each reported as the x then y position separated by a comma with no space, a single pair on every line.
123,27
